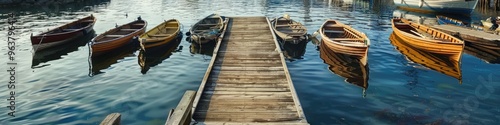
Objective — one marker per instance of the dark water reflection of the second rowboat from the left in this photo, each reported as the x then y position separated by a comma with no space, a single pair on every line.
104,61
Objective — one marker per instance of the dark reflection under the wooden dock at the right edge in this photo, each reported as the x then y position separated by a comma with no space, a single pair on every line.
488,55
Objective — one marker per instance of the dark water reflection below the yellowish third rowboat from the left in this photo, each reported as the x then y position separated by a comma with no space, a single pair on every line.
155,55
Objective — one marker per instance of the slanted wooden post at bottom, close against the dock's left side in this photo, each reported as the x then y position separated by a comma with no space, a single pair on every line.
182,113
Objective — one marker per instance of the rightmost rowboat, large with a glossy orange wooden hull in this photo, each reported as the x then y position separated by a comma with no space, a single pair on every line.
428,39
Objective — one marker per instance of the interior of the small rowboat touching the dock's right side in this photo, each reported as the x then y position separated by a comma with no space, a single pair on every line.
290,27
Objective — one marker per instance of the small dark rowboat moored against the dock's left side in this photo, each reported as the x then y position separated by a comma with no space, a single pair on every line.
207,29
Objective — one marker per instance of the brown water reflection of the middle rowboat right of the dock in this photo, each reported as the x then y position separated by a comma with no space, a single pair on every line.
346,66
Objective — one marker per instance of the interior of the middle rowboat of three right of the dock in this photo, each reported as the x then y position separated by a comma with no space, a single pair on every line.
340,33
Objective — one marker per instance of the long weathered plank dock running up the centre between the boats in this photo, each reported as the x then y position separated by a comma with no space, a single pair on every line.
247,81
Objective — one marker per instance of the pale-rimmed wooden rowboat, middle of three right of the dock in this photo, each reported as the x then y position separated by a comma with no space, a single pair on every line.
343,39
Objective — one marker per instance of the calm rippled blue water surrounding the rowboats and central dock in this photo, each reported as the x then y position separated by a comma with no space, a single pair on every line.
64,86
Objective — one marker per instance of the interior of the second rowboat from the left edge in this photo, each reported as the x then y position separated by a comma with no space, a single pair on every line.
123,30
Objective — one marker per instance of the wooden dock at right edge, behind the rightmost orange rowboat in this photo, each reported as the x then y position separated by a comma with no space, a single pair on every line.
480,38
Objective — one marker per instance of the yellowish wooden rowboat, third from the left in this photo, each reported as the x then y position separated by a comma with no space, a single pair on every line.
161,34
